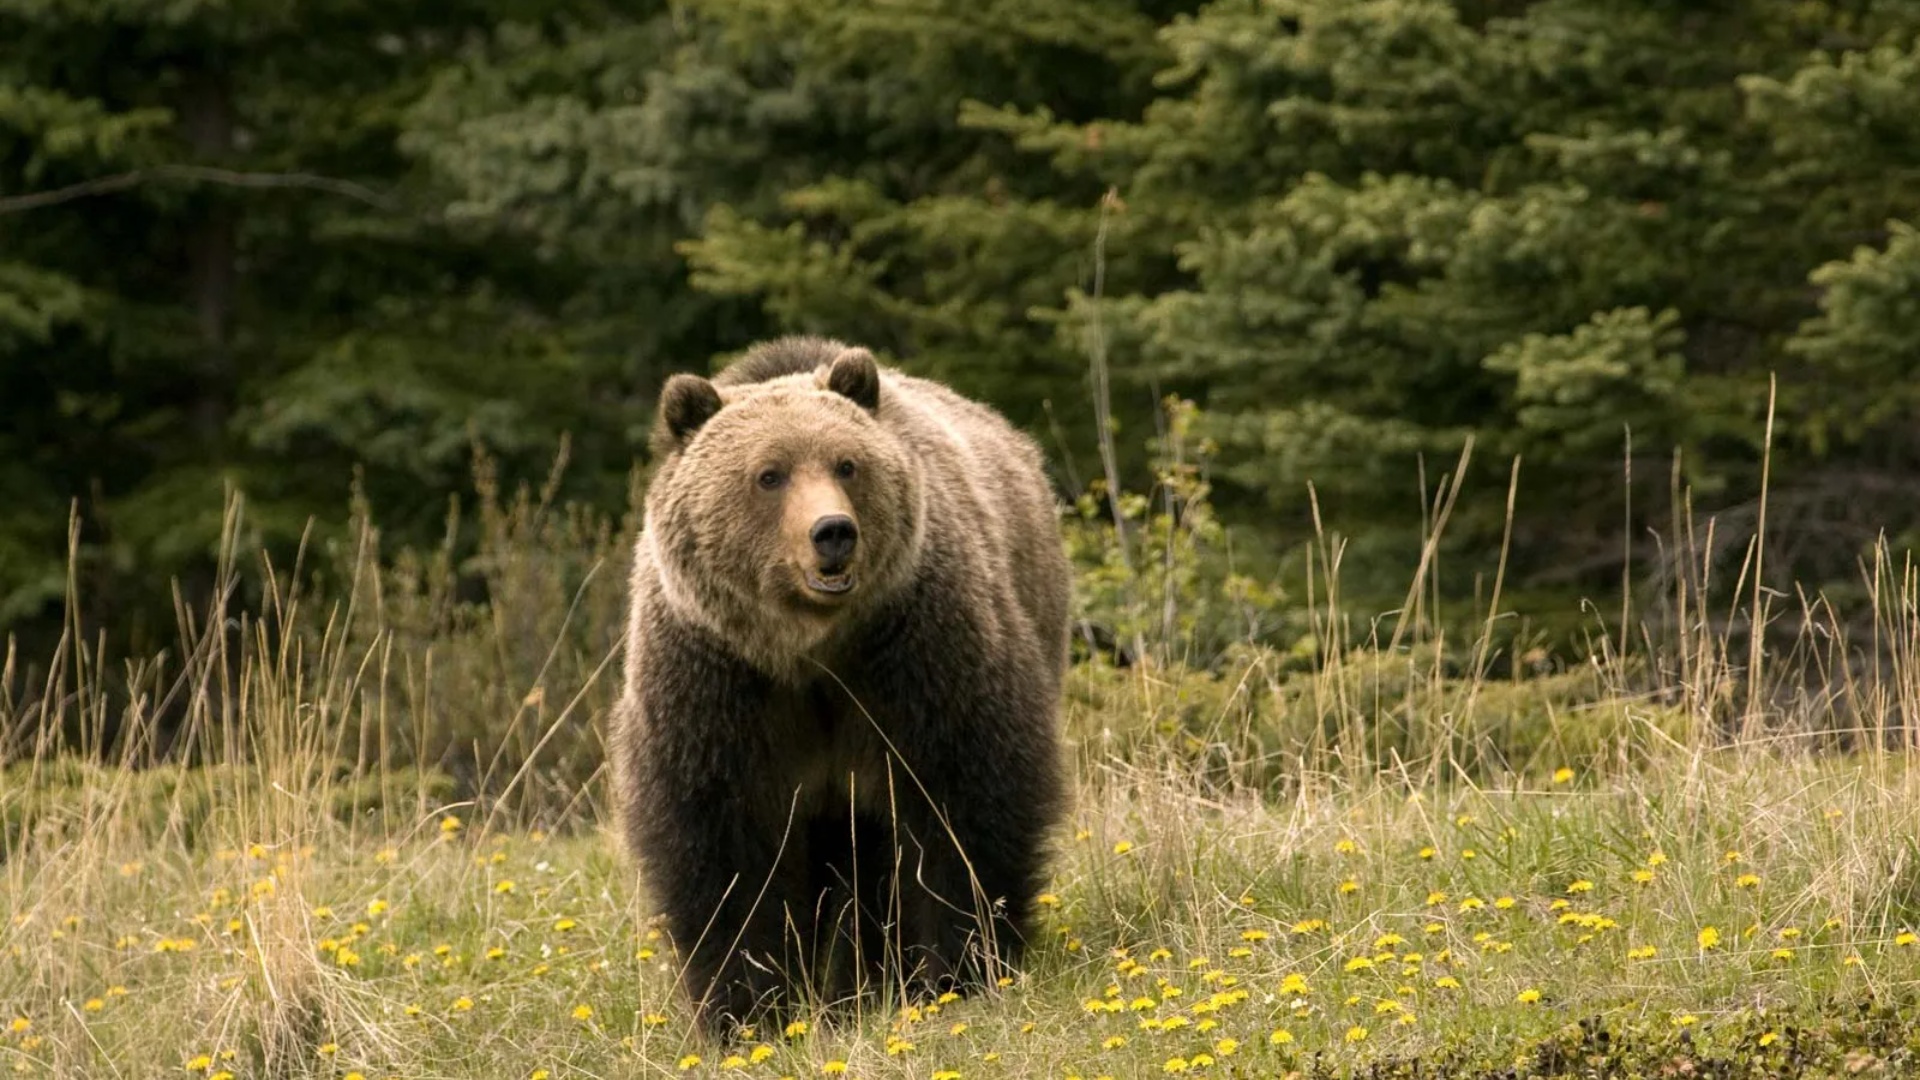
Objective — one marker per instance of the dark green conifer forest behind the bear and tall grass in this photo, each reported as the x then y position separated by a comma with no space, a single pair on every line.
331,251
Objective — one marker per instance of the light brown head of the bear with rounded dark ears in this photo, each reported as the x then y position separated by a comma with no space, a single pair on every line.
782,510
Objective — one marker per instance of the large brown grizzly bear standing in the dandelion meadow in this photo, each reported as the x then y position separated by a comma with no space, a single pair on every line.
838,749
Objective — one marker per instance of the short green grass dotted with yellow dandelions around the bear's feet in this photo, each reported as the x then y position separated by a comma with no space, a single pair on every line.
1186,933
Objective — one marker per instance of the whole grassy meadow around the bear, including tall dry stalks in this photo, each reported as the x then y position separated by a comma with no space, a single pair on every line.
360,835
